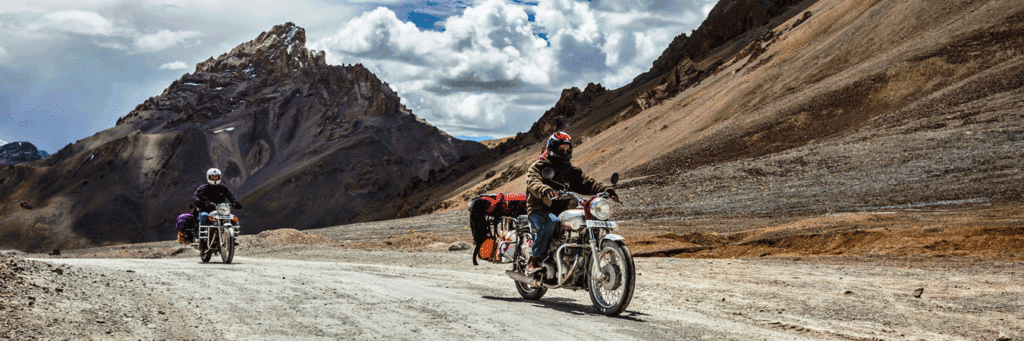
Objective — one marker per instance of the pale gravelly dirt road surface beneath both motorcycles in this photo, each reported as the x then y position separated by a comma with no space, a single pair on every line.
332,293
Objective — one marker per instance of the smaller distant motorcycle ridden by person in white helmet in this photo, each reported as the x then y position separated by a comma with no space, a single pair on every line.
218,235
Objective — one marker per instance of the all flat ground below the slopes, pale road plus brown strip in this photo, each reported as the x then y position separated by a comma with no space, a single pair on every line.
783,279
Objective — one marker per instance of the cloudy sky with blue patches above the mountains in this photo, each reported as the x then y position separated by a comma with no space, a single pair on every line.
473,68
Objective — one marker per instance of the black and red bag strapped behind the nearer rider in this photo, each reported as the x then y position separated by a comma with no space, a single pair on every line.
485,212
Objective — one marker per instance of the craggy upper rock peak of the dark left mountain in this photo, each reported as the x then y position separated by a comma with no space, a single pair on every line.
269,72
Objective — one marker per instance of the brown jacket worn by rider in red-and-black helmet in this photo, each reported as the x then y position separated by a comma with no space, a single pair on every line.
578,182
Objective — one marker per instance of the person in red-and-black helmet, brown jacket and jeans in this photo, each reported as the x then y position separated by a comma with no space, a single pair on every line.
541,206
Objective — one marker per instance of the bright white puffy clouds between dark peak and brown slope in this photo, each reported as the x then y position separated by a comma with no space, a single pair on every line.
495,68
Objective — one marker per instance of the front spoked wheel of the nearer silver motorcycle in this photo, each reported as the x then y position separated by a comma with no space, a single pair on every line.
613,279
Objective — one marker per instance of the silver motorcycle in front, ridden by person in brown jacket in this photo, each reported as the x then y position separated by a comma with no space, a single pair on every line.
587,255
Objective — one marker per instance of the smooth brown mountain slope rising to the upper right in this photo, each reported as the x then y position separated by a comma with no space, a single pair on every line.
780,108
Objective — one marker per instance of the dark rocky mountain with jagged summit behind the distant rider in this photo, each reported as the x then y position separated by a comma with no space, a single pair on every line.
303,144
